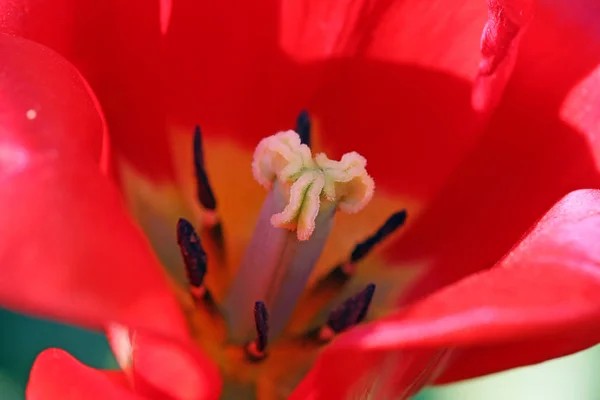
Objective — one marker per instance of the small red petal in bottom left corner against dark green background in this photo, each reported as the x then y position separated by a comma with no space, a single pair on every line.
56,375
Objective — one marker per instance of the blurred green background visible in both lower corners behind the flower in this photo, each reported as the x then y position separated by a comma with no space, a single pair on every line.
576,377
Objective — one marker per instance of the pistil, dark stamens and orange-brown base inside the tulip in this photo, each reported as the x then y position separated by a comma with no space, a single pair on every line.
256,328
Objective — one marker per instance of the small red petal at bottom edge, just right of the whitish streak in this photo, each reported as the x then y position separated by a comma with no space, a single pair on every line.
165,369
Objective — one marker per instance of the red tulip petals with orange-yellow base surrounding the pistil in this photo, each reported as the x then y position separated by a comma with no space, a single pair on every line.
475,151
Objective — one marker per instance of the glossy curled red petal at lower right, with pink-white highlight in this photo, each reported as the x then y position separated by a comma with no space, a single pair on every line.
539,302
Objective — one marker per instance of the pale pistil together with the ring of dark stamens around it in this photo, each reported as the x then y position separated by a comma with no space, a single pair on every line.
304,195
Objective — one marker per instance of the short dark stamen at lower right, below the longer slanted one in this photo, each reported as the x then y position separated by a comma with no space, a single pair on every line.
351,312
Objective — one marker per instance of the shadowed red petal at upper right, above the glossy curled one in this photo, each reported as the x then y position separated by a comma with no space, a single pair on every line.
540,144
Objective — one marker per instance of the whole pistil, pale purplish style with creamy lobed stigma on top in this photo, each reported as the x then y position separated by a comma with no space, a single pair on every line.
303,198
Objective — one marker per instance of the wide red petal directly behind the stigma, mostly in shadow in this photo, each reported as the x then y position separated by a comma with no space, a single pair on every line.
366,70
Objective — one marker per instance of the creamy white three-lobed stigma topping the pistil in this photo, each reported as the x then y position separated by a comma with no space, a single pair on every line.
310,184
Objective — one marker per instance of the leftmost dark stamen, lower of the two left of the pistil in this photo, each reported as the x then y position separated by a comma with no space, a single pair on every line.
195,261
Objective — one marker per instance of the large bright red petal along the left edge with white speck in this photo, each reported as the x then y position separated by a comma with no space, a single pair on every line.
69,249
